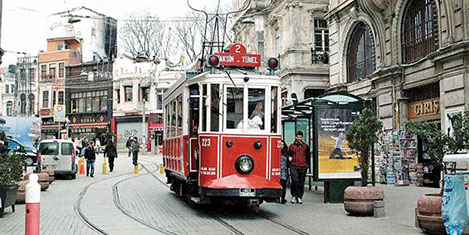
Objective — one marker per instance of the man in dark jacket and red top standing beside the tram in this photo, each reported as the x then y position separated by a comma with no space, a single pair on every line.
300,161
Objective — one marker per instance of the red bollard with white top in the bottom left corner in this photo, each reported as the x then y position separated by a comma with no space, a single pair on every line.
33,199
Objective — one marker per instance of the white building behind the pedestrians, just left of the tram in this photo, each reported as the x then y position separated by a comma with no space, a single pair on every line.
137,86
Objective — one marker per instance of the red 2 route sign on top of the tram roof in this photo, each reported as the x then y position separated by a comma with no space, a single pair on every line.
238,57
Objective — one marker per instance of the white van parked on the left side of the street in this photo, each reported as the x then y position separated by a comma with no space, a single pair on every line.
59,156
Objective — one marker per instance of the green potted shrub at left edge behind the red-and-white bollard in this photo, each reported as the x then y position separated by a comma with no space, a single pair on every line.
11,171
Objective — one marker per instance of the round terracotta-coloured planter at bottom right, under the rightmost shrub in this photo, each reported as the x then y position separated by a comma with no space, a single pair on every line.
429,216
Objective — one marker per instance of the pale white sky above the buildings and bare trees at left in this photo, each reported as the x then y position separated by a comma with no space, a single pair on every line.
25,23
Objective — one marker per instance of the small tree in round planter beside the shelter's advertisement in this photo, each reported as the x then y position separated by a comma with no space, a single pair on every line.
360,136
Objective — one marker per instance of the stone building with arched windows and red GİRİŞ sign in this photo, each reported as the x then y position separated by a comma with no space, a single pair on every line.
409,56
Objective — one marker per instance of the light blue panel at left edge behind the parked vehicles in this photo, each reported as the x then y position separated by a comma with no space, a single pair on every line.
24,129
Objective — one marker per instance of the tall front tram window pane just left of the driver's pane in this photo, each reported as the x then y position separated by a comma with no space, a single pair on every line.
234,108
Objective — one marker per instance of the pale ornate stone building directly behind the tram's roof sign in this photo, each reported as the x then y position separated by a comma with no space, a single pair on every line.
296,32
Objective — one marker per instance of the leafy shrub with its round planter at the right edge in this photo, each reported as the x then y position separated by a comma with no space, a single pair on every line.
428,212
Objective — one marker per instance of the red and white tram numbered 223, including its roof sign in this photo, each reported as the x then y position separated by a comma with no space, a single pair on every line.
222,135
